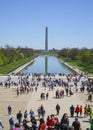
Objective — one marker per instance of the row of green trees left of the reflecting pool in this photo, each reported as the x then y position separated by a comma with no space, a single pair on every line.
9,54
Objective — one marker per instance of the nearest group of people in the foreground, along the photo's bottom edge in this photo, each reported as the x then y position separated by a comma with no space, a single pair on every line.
52,122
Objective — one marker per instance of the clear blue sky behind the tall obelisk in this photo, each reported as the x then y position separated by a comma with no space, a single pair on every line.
69,22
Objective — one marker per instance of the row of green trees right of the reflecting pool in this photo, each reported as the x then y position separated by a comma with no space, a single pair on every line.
85,55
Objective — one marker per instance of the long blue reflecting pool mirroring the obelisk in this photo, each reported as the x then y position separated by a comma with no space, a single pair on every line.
47,64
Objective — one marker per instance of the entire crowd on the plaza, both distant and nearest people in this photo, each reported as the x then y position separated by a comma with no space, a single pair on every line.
30,83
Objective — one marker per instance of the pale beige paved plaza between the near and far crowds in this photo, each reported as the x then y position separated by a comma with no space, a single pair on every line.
32,100
